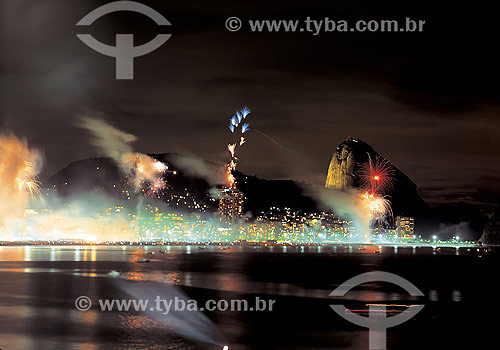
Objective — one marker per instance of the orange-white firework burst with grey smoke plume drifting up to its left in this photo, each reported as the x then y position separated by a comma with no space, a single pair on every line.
145,173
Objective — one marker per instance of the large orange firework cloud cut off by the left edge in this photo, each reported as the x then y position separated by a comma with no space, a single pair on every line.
18,176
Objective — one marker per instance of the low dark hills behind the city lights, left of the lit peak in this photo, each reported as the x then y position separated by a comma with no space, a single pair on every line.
102,174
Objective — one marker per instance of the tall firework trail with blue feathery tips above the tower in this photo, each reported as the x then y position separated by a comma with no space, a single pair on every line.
235,124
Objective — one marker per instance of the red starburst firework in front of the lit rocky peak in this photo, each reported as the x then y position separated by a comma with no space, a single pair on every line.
377,176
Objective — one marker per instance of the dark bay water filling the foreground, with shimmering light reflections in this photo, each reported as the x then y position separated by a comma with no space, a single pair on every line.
39,285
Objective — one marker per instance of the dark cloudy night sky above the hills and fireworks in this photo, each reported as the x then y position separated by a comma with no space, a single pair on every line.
427,101
